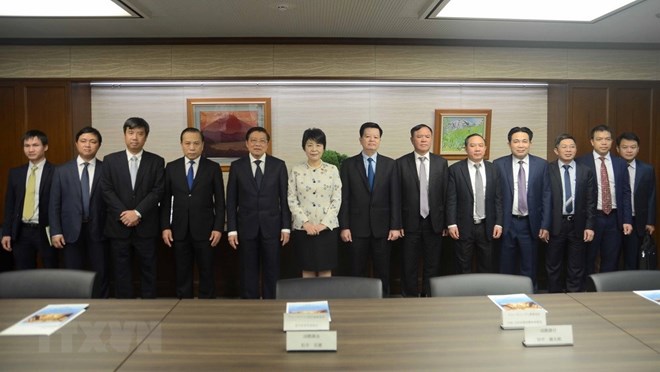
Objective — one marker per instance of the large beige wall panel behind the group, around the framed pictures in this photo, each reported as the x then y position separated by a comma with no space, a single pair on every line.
339,111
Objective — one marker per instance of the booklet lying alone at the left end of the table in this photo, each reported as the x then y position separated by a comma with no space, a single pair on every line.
46,320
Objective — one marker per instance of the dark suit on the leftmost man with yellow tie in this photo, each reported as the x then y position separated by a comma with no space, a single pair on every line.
27,239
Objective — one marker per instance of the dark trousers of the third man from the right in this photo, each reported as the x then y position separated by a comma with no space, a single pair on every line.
569,243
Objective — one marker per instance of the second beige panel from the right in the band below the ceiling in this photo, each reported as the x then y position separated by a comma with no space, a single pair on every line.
518,63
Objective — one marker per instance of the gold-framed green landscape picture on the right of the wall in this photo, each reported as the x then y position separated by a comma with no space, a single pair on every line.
453,126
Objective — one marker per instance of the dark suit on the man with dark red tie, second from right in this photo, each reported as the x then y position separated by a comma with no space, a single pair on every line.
607,234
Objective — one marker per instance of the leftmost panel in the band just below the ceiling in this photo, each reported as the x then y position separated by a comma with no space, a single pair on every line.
34,62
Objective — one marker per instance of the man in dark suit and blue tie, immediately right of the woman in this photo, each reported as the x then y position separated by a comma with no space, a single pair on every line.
370,214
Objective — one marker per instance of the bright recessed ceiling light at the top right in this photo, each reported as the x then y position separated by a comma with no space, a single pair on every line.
530,10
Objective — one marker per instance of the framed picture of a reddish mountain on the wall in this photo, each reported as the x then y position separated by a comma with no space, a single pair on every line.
224,123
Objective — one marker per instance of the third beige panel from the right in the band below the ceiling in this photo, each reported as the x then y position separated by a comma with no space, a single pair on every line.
424,62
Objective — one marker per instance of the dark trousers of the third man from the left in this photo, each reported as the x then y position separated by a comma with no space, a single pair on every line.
122,260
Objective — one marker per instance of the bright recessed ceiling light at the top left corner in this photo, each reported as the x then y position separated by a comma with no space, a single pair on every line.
65,8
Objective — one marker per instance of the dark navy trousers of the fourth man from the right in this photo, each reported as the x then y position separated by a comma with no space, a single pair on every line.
519,249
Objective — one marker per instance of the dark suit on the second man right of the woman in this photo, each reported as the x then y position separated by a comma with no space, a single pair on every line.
423,236
